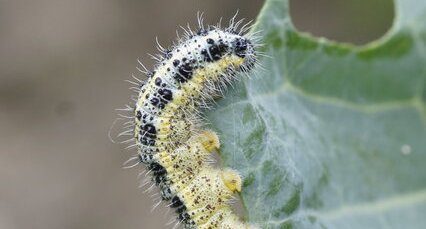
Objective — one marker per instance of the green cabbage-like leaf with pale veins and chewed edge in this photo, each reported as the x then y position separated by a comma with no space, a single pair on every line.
331,135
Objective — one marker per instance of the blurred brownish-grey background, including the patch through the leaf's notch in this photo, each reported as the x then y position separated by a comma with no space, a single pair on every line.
62,71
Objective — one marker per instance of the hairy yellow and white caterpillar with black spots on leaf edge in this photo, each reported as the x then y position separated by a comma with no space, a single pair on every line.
167,124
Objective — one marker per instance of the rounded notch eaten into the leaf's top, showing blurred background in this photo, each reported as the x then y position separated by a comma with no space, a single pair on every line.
352,21
